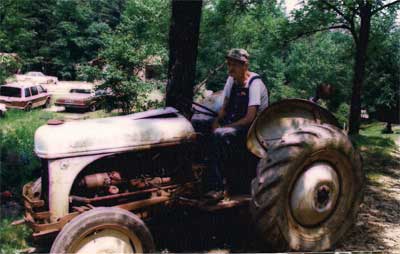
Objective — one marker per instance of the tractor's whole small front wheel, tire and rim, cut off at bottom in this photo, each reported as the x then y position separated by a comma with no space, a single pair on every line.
104,230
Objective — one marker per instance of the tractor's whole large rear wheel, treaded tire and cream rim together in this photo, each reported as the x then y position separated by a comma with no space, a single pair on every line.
308,190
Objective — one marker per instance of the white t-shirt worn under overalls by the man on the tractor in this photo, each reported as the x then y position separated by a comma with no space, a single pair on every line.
258,93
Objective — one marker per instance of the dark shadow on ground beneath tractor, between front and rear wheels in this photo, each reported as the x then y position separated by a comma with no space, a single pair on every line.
195,231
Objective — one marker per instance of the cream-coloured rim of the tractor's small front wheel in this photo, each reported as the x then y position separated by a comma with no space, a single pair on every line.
107,239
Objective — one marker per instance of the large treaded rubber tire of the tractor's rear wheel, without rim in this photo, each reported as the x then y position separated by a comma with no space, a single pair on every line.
287,159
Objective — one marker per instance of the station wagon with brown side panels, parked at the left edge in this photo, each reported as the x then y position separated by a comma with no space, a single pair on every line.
24,96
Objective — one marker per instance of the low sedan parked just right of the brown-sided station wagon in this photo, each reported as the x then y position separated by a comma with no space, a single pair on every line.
84,98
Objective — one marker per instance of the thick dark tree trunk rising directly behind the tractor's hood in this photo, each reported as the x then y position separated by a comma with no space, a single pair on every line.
183,41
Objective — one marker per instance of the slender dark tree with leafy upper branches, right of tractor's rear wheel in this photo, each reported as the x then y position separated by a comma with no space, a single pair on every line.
352,16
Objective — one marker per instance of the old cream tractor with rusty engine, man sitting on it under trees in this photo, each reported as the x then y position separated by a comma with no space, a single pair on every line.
102,178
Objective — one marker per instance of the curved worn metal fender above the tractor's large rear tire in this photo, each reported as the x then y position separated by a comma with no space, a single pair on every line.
282,117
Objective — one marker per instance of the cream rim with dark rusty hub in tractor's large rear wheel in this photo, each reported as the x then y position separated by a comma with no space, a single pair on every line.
315,194
